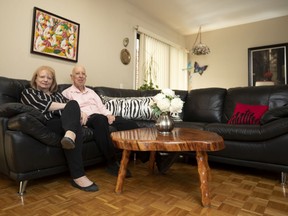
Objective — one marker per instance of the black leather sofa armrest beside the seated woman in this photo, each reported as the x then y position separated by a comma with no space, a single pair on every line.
29,124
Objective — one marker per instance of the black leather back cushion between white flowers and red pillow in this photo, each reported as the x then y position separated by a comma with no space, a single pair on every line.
204,105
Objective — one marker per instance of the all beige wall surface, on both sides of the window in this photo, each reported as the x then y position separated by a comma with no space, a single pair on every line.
104,24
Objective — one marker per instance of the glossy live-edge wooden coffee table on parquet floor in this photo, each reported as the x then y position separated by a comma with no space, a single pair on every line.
180,139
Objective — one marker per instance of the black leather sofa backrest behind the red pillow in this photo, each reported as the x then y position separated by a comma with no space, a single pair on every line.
272,96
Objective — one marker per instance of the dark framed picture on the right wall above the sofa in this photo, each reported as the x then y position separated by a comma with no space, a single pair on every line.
267,65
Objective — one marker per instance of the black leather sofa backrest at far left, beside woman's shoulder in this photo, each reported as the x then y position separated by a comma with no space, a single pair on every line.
10,89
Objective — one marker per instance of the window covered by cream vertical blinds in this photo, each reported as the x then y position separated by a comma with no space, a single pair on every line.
160,63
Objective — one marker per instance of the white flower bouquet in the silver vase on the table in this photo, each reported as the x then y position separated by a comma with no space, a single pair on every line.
166,102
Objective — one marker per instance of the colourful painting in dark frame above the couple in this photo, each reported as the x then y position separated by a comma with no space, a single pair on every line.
54,36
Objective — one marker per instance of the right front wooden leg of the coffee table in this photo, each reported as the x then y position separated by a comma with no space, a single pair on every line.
204,173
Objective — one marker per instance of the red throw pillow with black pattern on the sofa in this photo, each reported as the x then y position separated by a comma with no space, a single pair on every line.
247,114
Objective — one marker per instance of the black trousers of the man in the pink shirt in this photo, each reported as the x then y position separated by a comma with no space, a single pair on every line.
100,126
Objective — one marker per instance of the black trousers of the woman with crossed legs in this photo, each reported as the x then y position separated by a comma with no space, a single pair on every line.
70,120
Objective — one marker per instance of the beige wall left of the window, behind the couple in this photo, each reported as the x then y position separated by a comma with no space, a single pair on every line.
103,26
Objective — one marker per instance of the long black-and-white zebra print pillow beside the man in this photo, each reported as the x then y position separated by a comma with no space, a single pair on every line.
135,108
